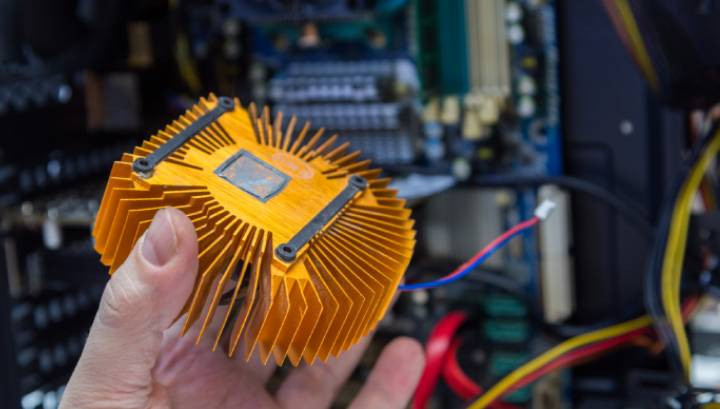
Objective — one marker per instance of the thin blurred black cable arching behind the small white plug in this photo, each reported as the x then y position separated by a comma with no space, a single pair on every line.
630,211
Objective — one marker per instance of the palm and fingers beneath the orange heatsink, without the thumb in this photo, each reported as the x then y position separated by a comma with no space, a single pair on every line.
192,376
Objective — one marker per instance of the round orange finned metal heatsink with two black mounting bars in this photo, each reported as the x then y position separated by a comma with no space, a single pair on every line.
302,242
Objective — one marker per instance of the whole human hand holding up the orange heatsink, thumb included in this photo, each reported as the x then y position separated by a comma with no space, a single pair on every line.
135,359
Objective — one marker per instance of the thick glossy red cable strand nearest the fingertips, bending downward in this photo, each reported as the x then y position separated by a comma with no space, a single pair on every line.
436,350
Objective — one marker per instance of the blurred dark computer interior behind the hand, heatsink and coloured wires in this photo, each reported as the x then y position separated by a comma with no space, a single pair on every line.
478,108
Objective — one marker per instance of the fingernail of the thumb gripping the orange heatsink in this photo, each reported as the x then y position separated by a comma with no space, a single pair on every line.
160,242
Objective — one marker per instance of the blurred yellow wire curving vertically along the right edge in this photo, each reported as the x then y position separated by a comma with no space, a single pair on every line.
675,252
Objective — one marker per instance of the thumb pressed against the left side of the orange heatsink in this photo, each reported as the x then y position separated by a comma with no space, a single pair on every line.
140,301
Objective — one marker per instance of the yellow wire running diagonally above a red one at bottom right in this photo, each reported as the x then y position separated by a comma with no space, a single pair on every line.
500,388
